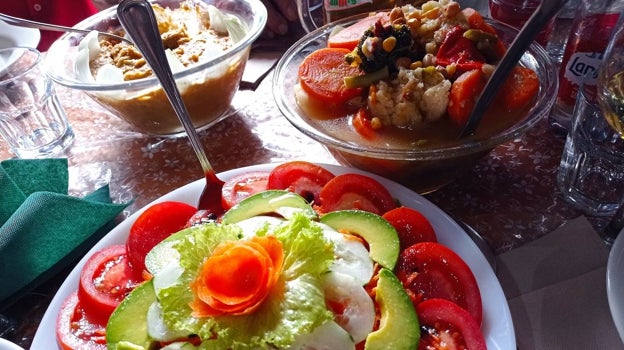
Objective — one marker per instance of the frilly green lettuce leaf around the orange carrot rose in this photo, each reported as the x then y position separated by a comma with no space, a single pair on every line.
295,306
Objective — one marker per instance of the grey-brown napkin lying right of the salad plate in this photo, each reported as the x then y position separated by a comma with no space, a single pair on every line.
556,289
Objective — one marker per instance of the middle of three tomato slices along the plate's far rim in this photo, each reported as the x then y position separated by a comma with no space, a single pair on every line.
304,178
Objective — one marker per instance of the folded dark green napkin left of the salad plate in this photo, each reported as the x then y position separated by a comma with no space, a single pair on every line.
43,229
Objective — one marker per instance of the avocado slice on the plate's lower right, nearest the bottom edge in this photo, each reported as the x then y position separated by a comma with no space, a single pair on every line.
399,327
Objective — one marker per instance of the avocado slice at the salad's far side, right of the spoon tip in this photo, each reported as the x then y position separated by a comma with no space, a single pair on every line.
281,202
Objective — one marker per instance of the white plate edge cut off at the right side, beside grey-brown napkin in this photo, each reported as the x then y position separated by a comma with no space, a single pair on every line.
615,283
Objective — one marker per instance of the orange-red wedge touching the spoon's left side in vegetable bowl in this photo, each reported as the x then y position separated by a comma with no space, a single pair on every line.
464,93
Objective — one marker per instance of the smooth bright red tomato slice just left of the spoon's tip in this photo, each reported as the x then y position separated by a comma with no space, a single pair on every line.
156,223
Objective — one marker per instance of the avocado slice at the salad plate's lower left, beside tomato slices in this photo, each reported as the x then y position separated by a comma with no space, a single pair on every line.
127,326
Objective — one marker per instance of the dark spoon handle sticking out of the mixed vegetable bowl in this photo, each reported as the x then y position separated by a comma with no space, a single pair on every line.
544,12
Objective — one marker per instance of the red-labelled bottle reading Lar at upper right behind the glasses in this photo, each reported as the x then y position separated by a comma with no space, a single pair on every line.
586,43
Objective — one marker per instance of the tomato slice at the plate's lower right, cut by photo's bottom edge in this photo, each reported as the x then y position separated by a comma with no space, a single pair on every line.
445,325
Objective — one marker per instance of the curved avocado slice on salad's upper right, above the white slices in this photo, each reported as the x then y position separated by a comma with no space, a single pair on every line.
381,236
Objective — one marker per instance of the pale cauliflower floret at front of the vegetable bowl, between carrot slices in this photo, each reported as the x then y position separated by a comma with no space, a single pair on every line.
415,96
